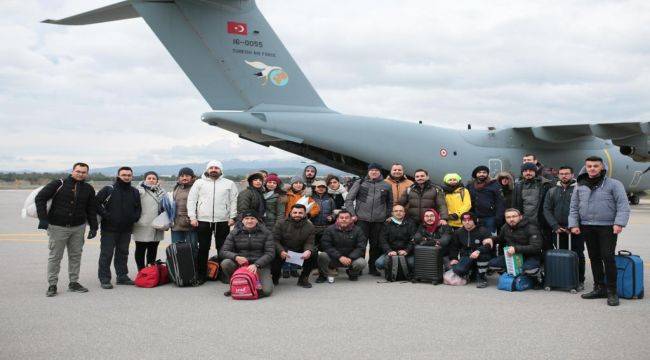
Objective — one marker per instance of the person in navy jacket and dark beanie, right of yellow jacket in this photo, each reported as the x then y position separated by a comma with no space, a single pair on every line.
487,201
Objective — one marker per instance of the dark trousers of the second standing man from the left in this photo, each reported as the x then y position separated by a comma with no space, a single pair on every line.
118,244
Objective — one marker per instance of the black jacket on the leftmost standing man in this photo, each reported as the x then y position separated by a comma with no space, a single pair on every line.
73,205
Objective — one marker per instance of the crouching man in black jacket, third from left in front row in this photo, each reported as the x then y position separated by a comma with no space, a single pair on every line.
343,246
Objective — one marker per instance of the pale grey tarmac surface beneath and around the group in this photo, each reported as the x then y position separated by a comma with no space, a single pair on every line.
343,320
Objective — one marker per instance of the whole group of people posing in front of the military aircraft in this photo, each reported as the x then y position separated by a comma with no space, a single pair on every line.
330,226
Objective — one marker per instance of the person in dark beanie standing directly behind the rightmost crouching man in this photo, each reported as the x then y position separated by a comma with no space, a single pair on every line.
528,197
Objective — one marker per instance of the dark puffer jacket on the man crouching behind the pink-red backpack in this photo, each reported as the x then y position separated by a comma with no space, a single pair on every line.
256,245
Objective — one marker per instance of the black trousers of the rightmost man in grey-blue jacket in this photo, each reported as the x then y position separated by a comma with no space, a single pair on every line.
601,246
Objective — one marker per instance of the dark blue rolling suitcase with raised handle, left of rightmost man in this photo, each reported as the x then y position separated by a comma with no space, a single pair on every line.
561,268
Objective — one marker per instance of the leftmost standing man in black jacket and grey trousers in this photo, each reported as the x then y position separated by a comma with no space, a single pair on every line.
73,205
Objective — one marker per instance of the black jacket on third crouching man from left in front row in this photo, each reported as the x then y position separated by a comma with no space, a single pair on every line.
350,243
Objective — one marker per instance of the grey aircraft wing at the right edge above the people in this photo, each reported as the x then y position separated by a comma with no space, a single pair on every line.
632,137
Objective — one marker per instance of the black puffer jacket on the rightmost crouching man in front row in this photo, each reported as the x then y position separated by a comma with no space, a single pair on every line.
524,236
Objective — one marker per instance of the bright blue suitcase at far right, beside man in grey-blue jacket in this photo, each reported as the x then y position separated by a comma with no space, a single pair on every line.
629,279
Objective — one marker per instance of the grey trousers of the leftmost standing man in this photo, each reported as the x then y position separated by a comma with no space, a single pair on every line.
60,238
